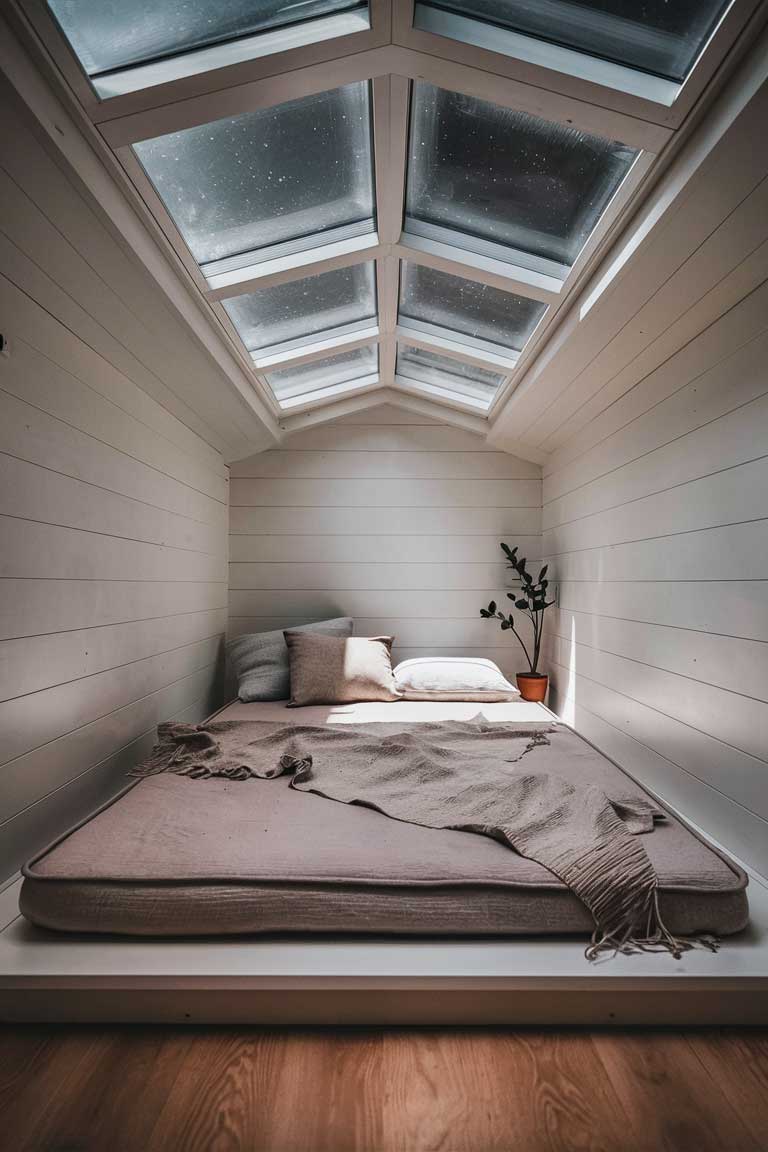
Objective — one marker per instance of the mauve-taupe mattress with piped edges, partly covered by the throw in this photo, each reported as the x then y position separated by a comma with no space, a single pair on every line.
173,857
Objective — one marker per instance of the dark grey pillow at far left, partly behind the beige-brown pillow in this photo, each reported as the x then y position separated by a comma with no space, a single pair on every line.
261,660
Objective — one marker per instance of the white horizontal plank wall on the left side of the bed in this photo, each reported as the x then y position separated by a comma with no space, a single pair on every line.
113,550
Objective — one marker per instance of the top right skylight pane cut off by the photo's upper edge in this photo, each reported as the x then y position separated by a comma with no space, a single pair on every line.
661,37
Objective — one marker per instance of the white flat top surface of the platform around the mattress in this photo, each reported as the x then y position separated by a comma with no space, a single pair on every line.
31,956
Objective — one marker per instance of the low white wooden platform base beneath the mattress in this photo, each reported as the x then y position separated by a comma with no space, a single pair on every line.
293,981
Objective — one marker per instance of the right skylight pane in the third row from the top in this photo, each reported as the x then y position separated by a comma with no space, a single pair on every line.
438,301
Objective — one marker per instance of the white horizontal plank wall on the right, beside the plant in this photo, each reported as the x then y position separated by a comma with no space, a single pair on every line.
656,527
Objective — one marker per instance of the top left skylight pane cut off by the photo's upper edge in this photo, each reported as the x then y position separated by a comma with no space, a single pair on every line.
112,35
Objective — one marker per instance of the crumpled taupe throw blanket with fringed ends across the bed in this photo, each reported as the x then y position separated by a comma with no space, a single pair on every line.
497,780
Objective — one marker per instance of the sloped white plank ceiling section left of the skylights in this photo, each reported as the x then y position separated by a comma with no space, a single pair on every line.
58,248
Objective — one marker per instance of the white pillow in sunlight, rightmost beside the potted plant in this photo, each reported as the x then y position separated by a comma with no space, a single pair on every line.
453,678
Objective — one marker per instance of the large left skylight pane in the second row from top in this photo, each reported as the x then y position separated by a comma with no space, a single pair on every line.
287,173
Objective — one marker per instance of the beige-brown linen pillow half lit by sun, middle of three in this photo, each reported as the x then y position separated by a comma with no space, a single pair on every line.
331,670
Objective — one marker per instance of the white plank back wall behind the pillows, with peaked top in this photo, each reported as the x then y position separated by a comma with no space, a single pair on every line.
386,517
